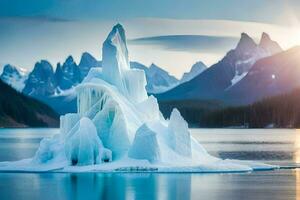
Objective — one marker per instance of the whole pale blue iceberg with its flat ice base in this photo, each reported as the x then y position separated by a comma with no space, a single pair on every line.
118,127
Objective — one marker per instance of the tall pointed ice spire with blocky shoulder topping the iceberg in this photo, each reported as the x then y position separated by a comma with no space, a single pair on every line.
116,69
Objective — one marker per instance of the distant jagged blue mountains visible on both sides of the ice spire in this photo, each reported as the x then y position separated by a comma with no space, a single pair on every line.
56,87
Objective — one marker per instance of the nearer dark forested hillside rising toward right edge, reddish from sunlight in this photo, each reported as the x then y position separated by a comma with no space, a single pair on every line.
281,111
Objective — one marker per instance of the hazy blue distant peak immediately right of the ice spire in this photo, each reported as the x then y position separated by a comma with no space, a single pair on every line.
158,80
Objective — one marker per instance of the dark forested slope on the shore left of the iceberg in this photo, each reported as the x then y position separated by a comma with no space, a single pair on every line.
18,110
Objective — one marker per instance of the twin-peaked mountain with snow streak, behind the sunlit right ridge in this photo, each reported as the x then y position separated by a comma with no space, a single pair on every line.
229,71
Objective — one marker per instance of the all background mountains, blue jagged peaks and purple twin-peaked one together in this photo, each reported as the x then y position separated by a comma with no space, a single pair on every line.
248,73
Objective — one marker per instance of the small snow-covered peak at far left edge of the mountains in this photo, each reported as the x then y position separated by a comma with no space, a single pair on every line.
13,76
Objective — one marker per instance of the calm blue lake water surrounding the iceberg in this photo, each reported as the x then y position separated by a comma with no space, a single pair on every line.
269,145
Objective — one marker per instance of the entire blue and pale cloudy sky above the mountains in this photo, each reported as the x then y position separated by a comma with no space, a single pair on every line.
173,34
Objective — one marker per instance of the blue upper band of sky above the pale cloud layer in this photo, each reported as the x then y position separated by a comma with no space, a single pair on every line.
255,10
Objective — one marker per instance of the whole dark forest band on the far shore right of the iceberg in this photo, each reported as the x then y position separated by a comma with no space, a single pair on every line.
281,111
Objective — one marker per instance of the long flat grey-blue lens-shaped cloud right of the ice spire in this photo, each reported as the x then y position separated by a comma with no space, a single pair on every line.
189,43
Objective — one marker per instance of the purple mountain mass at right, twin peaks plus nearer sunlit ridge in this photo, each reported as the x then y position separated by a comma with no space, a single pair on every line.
243,76
